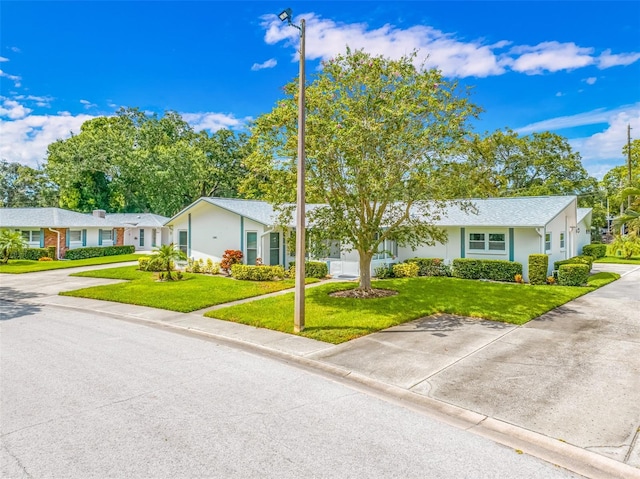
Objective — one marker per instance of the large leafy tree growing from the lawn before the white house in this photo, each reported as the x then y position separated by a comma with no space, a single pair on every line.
377,134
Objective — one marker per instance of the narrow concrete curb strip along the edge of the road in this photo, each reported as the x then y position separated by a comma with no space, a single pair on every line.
554,451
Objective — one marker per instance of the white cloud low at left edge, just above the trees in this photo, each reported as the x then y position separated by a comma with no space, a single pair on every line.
25,140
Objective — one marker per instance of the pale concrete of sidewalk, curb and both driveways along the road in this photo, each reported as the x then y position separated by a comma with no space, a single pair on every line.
564,387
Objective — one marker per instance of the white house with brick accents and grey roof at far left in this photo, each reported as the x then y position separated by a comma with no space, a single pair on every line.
64,229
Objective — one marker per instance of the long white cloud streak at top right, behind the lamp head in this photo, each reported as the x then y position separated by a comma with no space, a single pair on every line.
453,56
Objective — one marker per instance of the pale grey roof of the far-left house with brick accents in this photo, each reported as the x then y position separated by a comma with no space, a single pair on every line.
60,218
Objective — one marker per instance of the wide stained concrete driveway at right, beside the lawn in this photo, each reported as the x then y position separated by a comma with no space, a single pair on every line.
573,374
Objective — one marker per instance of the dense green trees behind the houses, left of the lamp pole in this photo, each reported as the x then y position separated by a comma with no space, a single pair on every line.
134,162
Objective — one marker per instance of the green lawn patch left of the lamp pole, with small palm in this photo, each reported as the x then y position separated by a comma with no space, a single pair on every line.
195,292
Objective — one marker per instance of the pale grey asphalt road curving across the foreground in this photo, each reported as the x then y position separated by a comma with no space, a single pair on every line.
89,396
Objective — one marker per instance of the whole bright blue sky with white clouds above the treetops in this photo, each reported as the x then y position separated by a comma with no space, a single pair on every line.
568,67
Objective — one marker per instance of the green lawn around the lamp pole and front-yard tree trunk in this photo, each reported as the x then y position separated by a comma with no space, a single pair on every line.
336,320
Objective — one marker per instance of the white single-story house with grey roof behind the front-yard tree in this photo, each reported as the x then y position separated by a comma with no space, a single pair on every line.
501,228
